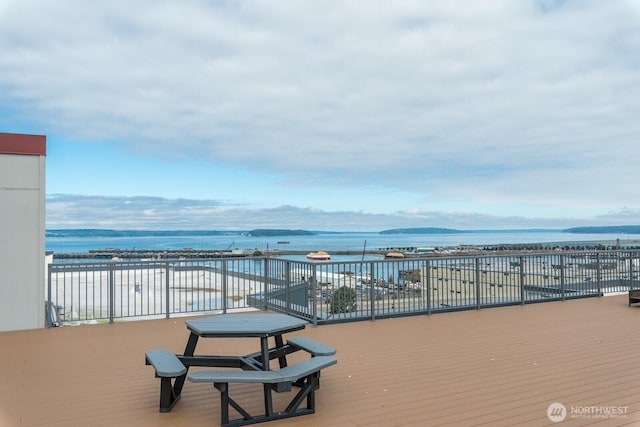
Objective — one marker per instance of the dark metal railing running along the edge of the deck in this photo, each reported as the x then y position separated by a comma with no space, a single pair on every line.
328,292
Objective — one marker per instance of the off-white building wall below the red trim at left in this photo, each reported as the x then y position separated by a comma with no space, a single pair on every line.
22,241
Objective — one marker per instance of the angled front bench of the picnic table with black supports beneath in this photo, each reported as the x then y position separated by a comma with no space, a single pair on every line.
304,374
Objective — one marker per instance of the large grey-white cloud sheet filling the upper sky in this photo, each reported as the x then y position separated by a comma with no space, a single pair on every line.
531,104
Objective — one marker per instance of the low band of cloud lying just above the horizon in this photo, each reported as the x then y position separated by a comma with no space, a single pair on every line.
155,213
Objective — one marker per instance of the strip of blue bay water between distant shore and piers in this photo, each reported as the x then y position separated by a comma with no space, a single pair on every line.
355,241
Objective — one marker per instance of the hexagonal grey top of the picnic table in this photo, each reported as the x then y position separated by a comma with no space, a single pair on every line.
245,325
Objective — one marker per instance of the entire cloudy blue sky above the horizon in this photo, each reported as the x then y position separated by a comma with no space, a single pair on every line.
328,115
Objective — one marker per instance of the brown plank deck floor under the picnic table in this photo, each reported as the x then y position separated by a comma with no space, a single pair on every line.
494,367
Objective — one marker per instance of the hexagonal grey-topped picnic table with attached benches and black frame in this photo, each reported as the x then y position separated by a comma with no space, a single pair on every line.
254,367
